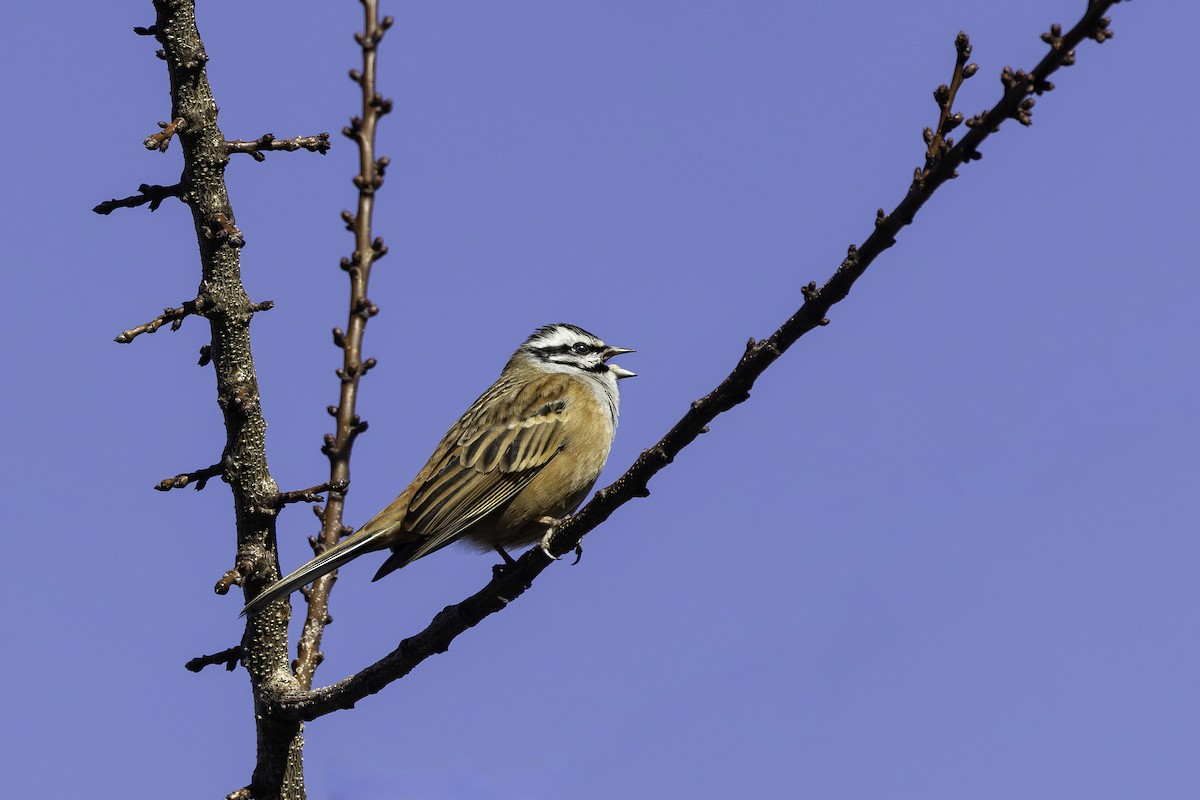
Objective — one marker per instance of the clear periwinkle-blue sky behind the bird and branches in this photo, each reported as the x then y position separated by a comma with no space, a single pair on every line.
949,550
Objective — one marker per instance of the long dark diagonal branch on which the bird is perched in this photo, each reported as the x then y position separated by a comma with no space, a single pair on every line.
511,582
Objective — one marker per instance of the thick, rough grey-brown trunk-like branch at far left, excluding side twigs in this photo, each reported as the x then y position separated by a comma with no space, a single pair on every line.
280,745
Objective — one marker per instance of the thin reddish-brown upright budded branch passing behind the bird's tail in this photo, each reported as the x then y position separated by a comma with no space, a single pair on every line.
339,446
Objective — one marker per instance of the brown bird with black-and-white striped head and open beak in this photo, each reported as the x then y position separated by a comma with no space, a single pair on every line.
525,455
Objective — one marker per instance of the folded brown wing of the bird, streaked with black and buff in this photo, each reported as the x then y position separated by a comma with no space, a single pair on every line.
502,446
